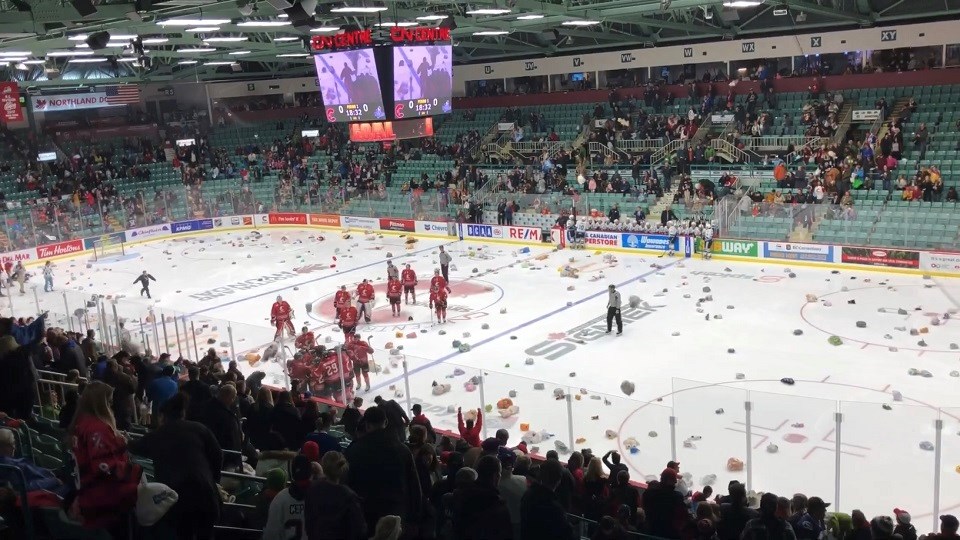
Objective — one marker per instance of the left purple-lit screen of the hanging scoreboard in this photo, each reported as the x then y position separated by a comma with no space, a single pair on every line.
350,86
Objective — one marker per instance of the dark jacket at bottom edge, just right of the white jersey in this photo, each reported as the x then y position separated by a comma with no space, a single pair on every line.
332,512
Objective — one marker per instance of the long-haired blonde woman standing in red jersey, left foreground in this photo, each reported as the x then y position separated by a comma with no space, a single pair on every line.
108,480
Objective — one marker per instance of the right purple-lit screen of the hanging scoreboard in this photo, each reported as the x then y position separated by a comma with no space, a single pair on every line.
422,80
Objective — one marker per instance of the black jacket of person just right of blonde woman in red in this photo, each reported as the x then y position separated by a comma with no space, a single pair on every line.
186,457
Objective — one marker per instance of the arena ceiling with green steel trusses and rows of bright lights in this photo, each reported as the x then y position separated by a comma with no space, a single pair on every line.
233,39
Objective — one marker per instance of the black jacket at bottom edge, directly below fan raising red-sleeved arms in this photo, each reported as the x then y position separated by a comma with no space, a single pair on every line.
480,514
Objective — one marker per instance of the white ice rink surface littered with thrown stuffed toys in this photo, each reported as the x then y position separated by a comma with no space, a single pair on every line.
705,347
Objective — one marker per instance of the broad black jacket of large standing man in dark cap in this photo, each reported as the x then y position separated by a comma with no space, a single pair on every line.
383,474
